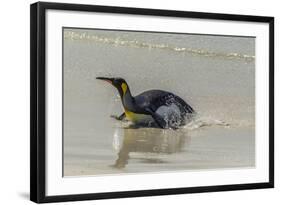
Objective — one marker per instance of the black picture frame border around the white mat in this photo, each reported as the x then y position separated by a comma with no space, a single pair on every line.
38,101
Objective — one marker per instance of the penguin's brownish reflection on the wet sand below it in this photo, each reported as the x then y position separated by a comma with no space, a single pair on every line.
149,140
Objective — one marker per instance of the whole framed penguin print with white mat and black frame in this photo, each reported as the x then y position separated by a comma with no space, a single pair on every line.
129,102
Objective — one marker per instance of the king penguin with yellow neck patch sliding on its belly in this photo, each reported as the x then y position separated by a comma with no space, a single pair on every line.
166,109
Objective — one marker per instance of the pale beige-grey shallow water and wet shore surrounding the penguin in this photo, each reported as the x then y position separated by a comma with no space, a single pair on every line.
214,74
